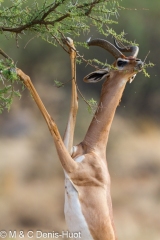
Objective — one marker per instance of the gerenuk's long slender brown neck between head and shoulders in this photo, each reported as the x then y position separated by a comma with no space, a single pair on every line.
98,132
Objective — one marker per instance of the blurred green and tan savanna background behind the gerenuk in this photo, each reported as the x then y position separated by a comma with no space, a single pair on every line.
31,177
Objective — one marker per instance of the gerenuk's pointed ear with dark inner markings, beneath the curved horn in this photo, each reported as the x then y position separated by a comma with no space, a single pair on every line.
96,76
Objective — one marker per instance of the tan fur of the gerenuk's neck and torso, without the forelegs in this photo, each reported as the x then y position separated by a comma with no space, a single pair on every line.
91,178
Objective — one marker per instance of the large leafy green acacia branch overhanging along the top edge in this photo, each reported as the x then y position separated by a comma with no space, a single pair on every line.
52,18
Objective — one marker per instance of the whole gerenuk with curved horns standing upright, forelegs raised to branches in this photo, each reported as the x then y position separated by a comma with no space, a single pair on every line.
88,205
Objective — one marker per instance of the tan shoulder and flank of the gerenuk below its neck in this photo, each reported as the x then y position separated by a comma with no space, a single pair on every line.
92,182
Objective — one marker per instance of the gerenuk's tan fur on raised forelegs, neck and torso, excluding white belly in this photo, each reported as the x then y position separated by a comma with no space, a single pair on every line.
89,178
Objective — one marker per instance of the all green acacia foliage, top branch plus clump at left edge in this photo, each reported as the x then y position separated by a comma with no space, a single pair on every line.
51,21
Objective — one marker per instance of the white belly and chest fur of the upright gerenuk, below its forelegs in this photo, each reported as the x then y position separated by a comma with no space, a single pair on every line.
73,213
